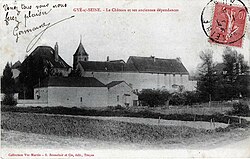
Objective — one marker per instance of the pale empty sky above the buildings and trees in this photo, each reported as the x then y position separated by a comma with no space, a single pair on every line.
114,34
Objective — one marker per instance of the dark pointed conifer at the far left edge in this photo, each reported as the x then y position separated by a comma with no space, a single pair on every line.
7,81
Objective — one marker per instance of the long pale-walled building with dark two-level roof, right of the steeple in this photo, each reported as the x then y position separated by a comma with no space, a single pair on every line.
140,72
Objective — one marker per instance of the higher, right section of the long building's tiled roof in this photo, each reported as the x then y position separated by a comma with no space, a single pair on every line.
157,65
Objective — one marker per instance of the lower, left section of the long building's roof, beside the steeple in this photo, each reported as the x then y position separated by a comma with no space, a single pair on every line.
99,66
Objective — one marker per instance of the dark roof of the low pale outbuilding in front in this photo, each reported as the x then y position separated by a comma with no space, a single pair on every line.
70,82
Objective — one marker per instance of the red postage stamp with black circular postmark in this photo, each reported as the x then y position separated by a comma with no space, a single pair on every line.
228,25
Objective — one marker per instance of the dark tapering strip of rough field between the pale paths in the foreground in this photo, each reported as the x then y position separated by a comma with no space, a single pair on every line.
107,130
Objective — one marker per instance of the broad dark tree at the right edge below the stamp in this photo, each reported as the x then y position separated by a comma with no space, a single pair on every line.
234,77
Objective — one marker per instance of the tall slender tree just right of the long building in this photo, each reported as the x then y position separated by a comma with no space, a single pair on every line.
207,79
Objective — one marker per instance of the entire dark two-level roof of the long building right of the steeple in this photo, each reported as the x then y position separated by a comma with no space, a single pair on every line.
137,64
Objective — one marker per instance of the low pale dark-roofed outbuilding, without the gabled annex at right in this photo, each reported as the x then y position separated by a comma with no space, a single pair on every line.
72,91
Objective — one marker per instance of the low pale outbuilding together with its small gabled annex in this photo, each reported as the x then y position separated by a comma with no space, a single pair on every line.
83,92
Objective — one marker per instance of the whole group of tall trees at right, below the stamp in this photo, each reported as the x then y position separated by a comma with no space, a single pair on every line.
232,82
